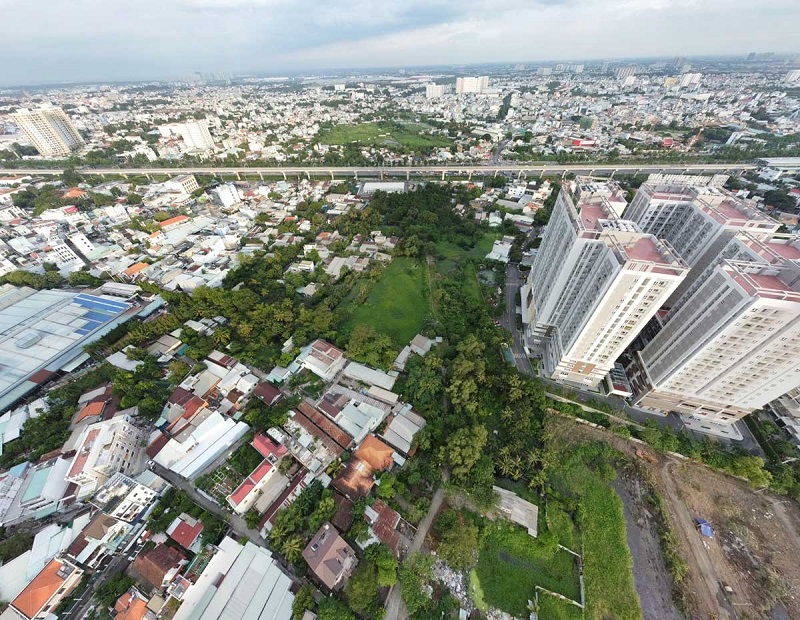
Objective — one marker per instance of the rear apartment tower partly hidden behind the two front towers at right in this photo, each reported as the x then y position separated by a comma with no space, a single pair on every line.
697,221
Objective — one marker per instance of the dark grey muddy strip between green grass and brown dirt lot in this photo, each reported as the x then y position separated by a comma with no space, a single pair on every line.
650,574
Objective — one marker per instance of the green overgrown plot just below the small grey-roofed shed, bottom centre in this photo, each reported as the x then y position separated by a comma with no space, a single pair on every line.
511,563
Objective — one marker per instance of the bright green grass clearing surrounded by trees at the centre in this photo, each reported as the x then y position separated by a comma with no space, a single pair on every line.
397,304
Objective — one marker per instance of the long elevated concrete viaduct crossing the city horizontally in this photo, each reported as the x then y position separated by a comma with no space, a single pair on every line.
532,168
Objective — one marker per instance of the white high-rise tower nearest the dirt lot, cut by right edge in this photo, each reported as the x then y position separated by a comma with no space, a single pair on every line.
732,347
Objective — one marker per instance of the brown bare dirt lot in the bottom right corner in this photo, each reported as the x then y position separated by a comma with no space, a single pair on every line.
756,551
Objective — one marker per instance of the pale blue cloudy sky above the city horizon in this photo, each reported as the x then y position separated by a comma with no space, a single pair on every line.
114,40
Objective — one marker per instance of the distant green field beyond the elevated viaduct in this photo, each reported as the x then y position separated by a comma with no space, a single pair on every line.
409,135
